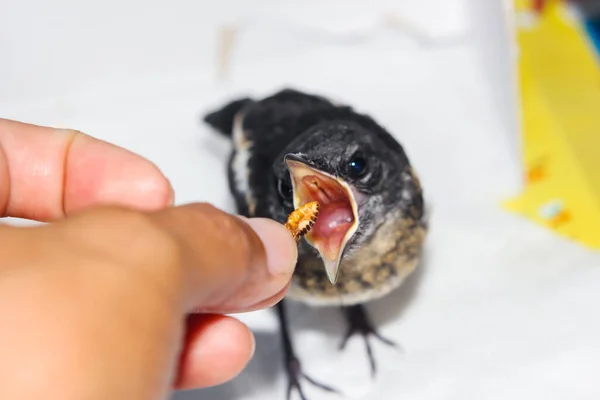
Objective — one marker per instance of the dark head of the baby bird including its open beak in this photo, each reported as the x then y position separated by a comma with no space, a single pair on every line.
358,176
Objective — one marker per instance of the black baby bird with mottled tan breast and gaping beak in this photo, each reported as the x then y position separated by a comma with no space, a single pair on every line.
293,148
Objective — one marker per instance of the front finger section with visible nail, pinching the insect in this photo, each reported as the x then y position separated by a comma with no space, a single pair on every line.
231,264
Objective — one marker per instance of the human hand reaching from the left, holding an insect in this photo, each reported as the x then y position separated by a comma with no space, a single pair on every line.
121,295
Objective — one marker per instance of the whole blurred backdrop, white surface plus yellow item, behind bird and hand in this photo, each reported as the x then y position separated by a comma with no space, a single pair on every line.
494,102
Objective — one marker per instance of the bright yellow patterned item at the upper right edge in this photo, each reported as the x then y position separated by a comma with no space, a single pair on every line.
559,81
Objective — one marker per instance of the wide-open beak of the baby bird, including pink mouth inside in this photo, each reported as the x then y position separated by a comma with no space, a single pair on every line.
338,211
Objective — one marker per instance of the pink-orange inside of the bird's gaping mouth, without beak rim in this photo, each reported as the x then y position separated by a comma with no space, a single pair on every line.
336,216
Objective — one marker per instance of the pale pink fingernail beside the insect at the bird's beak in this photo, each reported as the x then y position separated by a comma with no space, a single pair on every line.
280,247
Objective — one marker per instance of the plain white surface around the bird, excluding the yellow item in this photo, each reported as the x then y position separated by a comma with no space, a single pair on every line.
501,309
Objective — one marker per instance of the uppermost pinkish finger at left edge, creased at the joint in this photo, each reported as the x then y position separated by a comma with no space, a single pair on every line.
48,173
